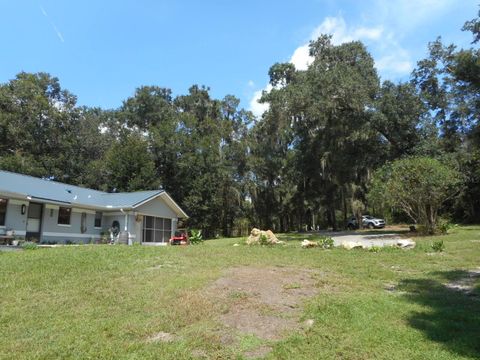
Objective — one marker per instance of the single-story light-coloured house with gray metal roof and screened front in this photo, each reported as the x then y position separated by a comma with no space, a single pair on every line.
52,212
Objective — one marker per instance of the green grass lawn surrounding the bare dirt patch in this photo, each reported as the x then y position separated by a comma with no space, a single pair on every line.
105,302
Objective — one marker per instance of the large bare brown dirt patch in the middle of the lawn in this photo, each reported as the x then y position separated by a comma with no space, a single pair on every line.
264,302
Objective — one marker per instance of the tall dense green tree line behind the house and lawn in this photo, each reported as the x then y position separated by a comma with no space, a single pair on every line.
307,161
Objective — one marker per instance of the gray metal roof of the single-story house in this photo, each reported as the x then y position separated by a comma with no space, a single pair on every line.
24,186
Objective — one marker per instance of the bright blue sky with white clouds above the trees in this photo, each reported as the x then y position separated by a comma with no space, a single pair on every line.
102,50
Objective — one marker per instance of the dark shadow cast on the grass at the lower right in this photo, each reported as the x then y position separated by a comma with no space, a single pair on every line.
452,317
